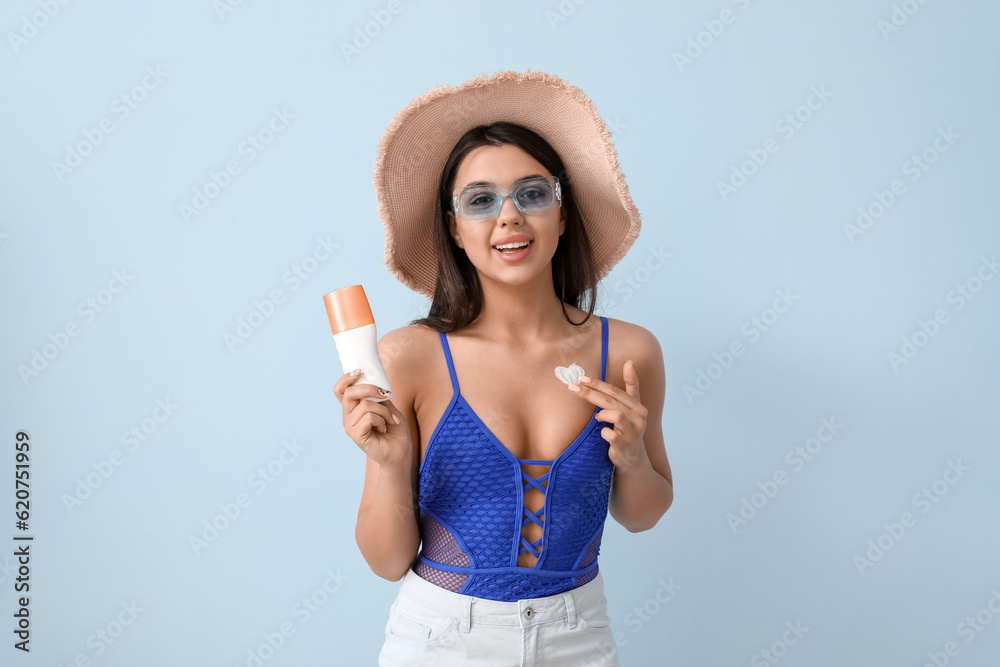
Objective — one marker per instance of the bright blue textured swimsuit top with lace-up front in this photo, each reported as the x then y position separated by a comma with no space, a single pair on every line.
472,506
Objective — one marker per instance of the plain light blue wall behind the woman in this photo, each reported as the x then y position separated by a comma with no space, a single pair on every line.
679,131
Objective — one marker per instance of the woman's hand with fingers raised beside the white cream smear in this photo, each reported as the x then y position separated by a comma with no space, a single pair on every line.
622,409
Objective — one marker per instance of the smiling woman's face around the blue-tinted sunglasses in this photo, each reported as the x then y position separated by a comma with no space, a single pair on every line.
503,166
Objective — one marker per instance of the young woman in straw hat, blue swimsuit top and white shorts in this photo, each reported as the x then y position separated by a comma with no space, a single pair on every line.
517,419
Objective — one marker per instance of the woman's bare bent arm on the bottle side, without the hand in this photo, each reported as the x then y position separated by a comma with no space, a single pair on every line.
388,531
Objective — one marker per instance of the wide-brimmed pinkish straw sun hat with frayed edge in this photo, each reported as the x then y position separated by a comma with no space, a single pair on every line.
411,155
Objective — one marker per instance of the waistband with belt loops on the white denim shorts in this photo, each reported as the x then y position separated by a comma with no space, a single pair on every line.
527,612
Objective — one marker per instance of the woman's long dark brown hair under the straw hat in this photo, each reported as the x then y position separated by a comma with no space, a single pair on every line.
458,295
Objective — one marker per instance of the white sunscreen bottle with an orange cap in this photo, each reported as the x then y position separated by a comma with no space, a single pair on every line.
353,329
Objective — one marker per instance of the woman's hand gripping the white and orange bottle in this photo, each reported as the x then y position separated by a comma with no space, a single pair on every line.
377,427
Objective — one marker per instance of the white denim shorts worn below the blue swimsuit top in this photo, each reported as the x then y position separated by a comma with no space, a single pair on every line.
430,625
